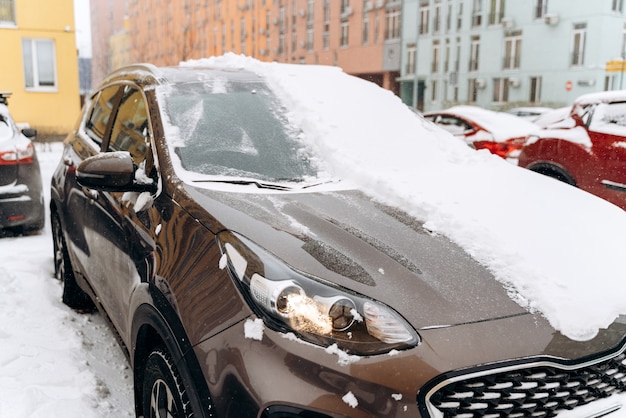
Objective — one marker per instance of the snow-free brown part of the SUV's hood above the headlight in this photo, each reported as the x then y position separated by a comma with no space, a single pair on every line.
379,251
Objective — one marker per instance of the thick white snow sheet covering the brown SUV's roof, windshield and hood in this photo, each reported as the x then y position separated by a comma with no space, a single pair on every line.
556,249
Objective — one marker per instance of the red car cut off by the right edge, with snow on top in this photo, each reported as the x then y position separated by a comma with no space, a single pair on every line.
587,149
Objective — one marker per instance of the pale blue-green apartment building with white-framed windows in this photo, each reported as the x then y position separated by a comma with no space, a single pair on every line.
503,53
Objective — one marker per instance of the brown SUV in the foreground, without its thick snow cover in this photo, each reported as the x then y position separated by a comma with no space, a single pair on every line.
242,282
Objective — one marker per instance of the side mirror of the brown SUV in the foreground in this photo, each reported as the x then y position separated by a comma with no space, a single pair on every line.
111,172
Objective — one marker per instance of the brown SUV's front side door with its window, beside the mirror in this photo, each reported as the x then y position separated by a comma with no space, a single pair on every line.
124,243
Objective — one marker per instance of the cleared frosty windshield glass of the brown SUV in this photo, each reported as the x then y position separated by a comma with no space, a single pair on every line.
236,129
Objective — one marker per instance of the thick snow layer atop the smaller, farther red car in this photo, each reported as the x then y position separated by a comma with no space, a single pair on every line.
502,125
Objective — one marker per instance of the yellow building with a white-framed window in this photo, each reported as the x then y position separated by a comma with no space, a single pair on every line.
40,63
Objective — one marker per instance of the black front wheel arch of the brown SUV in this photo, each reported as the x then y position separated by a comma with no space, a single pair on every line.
157,323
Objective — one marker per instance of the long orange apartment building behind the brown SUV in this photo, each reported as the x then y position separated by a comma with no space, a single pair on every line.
362,37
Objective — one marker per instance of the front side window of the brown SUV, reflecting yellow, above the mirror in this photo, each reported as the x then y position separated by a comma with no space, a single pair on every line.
130,130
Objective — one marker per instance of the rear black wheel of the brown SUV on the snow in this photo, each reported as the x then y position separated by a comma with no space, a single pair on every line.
73,295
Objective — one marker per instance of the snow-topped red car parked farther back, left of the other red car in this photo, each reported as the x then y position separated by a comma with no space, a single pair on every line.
501,133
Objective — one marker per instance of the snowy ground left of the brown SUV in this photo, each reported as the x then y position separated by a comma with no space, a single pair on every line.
54,362
